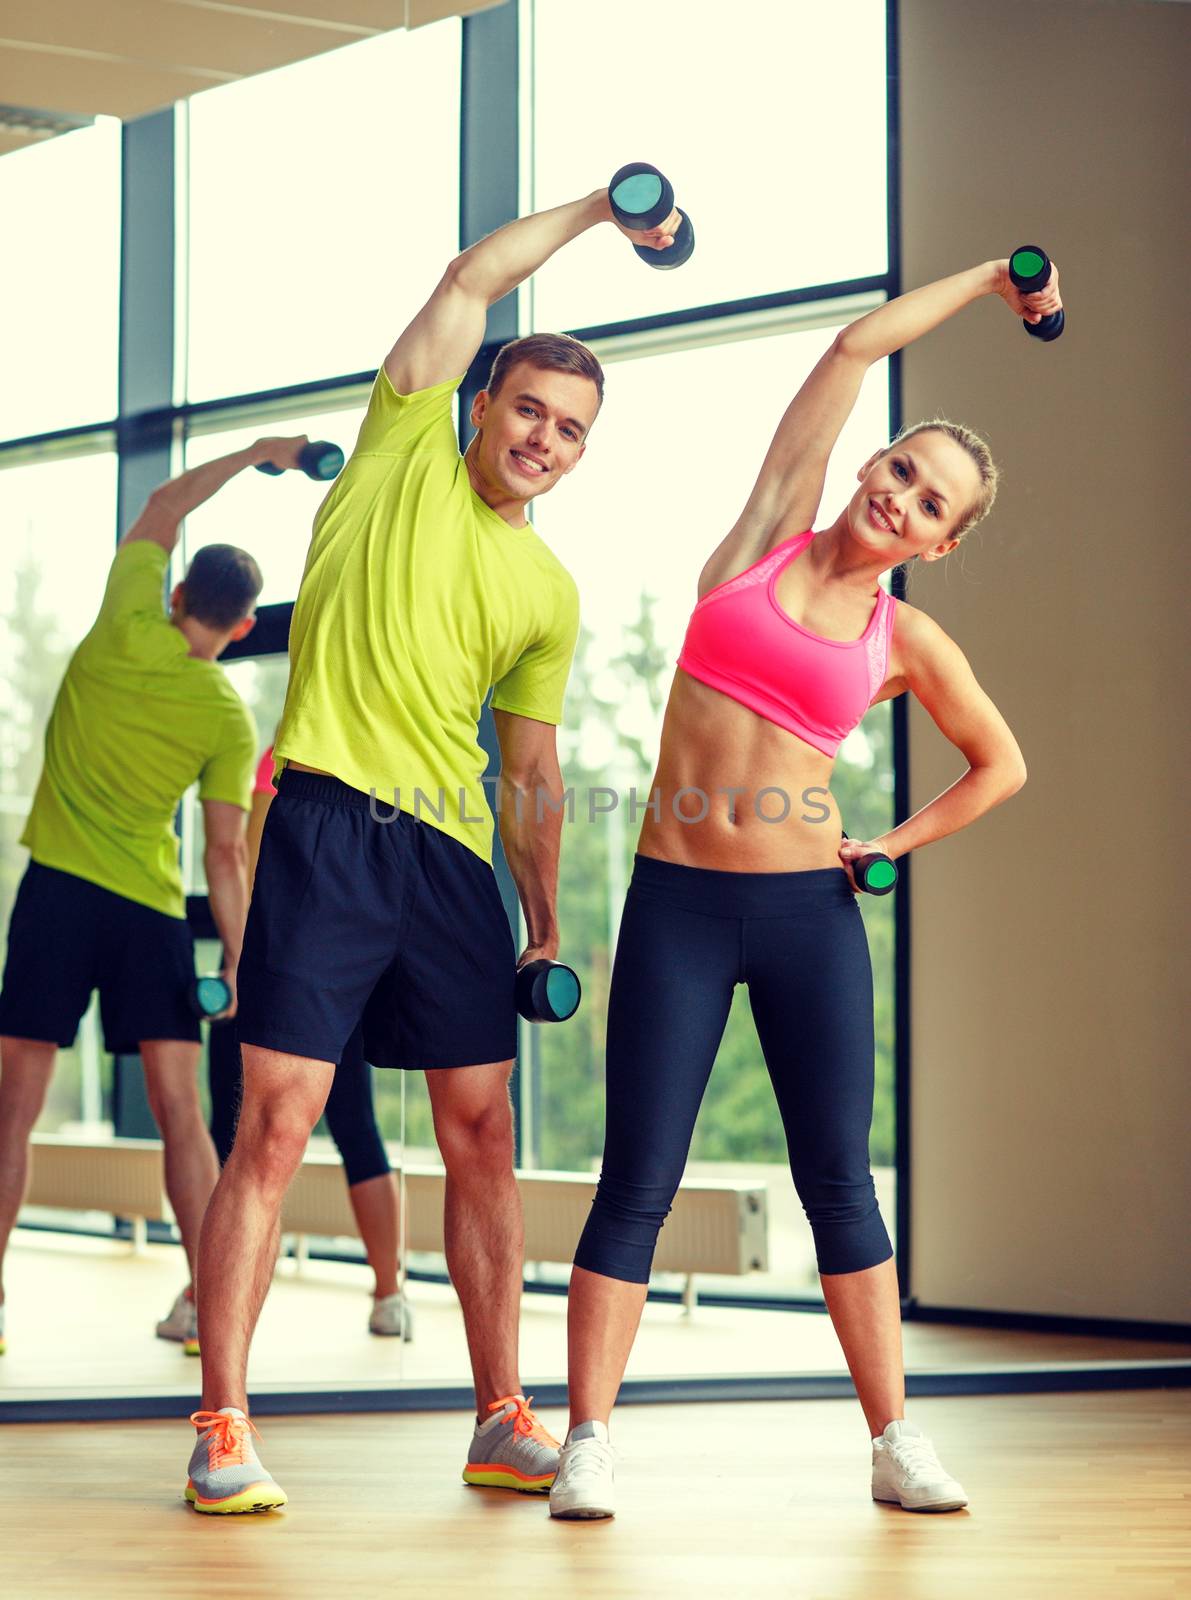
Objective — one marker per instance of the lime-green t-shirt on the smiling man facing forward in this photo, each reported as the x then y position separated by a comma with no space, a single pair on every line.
415,601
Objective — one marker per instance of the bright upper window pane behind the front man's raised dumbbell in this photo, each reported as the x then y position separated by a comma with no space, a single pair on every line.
769,119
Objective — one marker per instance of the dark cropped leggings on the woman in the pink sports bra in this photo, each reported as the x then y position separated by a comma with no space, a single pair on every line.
688,938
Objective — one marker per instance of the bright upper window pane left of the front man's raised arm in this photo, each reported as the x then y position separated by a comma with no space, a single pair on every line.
324,204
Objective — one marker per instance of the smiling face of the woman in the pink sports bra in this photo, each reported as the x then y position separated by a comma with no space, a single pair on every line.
913,497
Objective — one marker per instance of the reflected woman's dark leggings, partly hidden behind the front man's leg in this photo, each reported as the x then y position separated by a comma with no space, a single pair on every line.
351,1116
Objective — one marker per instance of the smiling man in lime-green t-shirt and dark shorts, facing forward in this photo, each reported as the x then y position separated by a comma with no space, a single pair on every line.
375,898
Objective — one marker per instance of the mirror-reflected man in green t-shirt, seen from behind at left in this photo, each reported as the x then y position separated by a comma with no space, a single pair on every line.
143,713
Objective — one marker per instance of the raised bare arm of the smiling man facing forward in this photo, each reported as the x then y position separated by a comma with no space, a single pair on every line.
444,337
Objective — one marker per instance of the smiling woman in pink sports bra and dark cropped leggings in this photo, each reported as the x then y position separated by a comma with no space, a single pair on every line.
744,876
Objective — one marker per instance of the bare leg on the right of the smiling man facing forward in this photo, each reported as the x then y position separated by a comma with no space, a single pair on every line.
483,1218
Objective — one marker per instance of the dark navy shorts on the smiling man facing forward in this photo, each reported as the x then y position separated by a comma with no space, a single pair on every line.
374,919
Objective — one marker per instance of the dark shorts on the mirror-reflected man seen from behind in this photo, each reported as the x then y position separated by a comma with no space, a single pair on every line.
70,937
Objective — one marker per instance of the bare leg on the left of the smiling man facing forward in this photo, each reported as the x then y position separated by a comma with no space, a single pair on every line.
283,1100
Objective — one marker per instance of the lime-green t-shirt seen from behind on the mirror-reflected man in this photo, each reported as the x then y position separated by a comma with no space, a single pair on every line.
135,724
